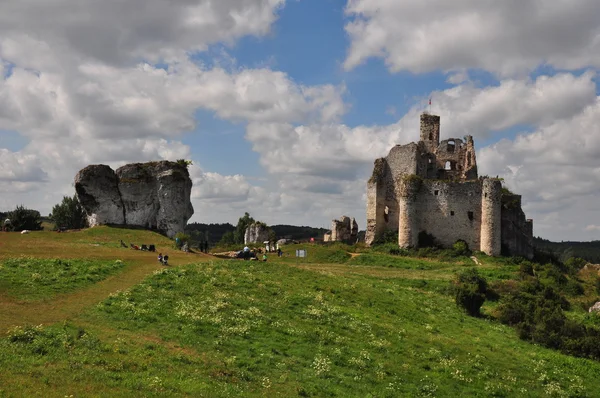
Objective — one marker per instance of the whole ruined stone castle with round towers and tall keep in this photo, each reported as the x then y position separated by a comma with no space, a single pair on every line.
433,187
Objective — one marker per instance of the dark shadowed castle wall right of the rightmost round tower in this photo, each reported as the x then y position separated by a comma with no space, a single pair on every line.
517,231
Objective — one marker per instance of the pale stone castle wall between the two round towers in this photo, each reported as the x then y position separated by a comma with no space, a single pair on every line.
451,211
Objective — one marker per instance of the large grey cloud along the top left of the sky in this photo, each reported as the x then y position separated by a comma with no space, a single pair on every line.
118,32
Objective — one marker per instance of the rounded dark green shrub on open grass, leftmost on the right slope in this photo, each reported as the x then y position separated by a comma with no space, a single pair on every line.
469,291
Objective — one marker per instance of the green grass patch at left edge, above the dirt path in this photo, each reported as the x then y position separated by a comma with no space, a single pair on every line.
31,278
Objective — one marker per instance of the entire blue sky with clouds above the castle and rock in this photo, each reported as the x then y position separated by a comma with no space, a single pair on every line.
283,105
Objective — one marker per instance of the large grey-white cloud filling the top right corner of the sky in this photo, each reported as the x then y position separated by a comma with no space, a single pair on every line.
505,37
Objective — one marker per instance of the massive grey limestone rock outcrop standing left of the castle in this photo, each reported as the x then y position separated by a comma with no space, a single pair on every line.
153,195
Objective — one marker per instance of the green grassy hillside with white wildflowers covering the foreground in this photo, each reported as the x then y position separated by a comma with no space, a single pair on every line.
337,323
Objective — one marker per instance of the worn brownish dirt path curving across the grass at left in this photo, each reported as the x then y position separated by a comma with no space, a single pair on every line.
69,305
